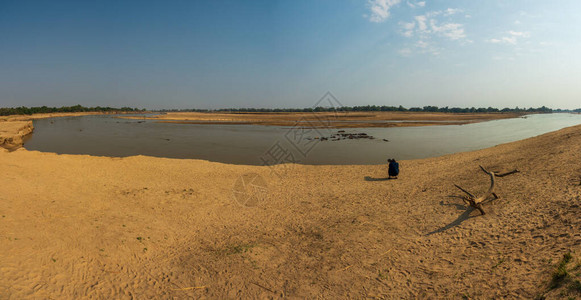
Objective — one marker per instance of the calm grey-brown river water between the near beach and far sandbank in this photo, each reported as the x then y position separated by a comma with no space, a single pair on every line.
257,145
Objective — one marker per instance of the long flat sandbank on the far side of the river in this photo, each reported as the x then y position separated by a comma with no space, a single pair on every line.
327,119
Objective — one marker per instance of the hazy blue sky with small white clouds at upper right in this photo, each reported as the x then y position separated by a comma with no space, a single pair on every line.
288,54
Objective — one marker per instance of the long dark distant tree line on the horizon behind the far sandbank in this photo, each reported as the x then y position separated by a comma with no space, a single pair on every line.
542,109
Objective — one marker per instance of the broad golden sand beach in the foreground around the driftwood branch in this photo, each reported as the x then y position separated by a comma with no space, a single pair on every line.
76,226
